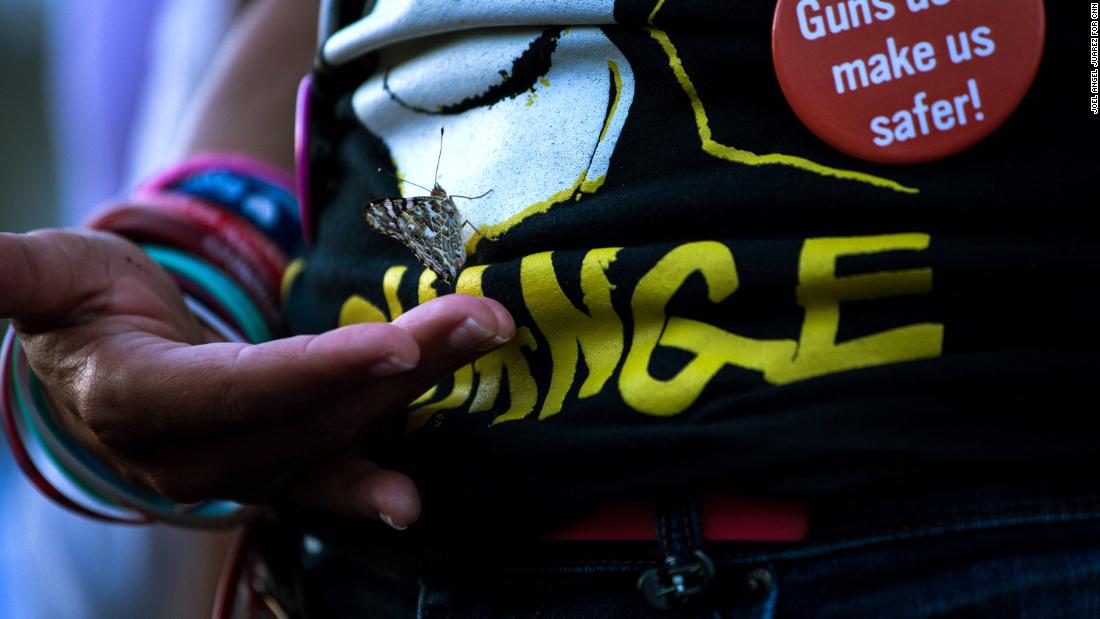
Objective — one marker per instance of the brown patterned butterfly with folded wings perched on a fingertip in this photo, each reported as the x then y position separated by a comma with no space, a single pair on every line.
430,226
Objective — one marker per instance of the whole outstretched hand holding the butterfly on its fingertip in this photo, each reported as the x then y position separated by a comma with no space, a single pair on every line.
136,380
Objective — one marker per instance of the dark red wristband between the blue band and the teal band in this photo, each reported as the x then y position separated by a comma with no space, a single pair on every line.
163,226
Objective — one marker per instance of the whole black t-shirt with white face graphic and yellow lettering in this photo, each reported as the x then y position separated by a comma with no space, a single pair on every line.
708,296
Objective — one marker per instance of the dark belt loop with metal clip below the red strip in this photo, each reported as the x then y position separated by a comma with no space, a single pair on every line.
687,571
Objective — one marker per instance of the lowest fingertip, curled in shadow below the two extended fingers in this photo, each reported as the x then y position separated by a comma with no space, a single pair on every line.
356,487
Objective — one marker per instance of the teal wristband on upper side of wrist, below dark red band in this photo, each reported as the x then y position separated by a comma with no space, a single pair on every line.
224,290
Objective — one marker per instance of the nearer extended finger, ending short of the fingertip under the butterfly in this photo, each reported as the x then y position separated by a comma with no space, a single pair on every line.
212,390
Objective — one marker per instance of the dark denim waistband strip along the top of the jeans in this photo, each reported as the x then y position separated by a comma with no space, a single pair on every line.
835,525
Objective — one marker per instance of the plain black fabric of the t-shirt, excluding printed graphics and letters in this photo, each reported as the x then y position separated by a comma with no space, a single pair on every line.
1014,268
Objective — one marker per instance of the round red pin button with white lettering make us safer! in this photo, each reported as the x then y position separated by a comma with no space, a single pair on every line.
904,82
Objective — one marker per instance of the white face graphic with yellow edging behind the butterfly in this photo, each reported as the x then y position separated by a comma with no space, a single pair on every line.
534,148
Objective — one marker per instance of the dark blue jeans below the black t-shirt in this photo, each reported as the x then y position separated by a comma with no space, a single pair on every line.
994,556
